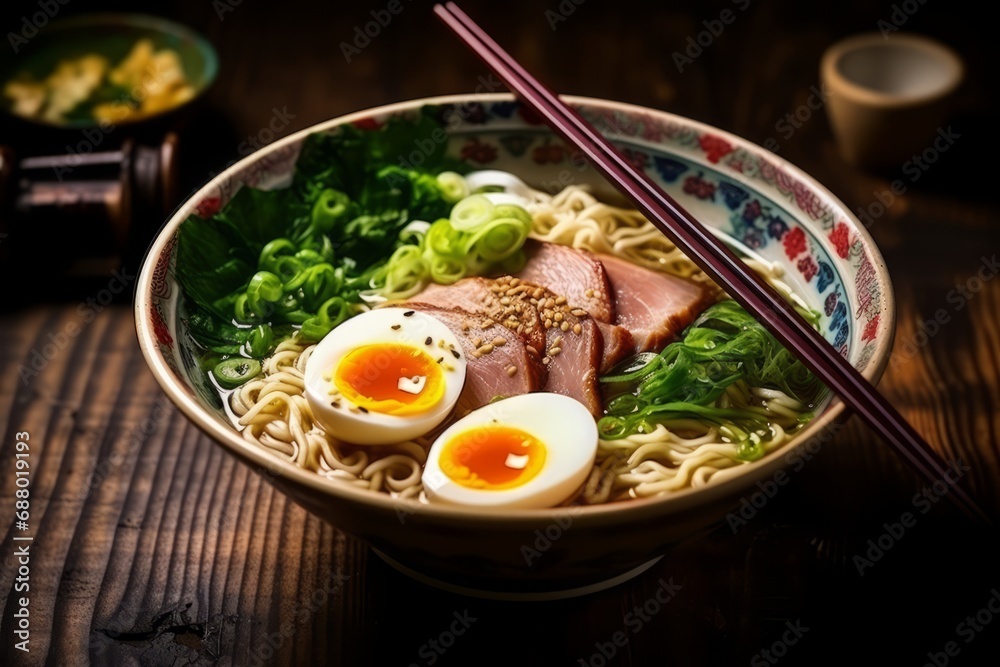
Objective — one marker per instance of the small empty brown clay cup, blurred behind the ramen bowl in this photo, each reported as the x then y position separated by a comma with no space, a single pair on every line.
888,97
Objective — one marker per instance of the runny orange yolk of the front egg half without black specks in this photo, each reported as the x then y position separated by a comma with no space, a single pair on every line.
492,457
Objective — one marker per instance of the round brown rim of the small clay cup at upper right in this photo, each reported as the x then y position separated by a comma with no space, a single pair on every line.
839,84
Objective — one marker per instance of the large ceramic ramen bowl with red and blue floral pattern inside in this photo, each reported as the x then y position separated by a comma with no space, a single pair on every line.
754,199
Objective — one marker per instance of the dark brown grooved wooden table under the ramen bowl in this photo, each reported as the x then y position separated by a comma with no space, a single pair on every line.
151,546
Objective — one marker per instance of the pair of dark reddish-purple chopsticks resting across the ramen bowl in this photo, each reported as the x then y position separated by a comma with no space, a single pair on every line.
715,259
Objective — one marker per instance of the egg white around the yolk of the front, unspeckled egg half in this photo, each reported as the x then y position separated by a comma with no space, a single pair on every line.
565,427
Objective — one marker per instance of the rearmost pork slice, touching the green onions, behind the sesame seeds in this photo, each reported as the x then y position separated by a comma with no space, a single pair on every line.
575,274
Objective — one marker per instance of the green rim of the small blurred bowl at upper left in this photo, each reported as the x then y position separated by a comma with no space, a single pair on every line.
149,23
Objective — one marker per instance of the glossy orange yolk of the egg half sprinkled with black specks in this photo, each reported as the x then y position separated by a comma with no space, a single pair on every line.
370,377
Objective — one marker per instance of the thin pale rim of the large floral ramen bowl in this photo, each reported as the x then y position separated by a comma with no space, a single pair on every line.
674,502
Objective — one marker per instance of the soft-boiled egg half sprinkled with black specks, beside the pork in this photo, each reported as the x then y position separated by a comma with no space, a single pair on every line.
385,376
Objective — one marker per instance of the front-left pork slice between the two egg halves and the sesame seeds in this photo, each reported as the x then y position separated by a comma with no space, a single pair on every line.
492,351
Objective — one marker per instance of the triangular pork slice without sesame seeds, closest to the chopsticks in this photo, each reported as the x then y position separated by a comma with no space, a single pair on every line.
653,306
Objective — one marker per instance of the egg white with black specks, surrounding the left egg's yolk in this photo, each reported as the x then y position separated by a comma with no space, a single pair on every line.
349,424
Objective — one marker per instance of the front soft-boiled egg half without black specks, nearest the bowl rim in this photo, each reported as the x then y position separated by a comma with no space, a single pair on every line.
529,451
